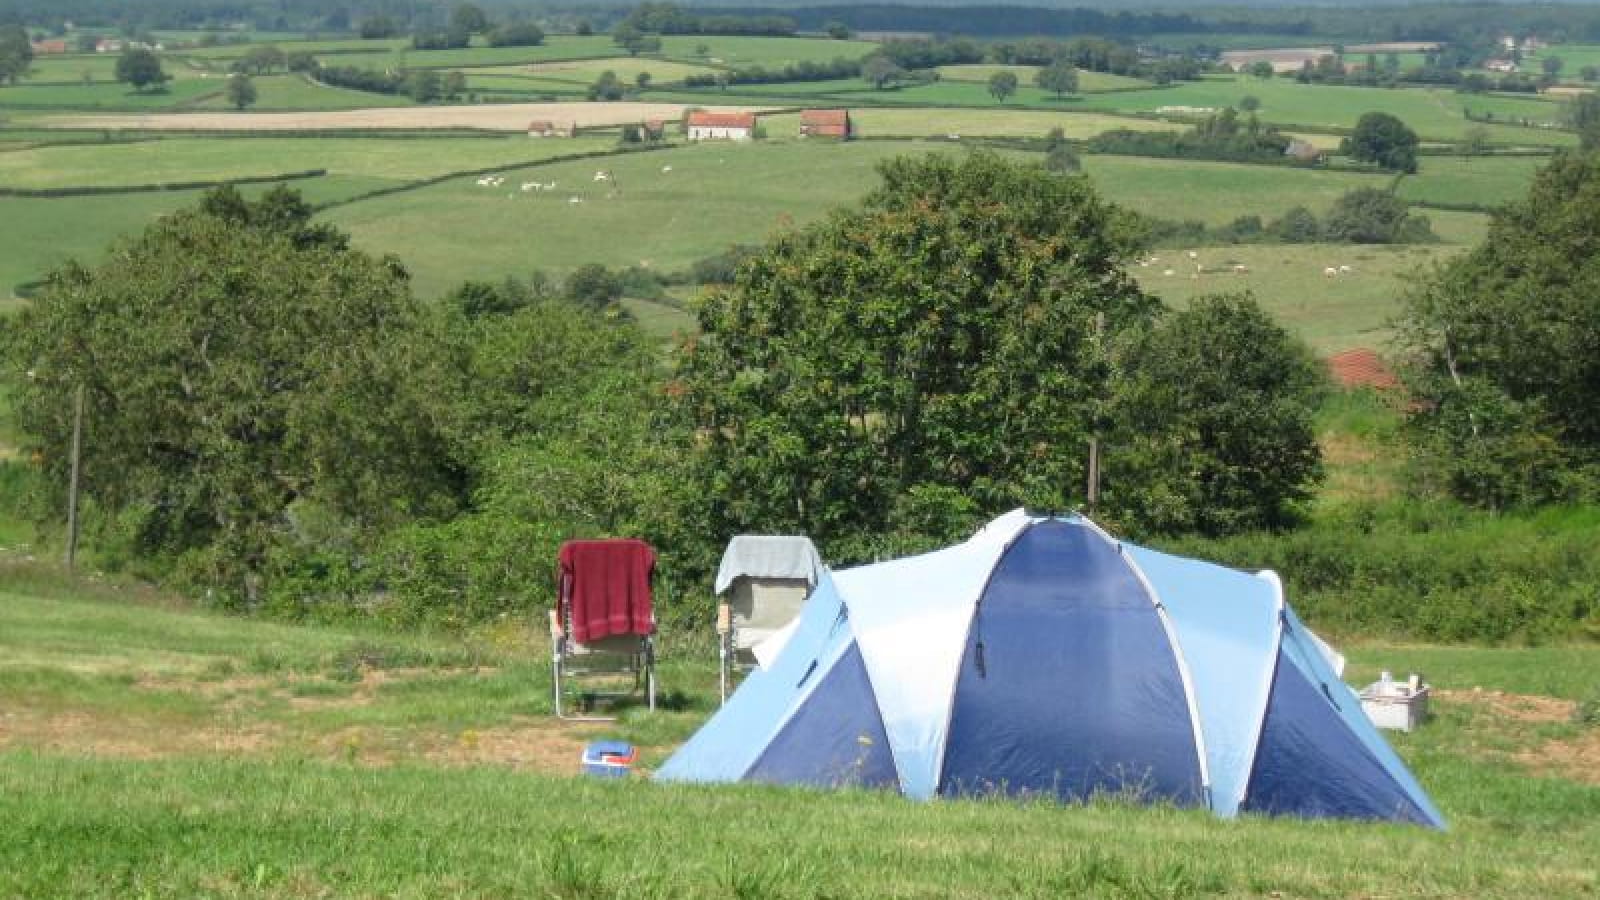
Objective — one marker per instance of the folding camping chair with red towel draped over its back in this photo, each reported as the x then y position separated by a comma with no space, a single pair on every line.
604,625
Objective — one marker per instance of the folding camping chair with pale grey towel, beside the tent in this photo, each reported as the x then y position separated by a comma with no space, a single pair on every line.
764,582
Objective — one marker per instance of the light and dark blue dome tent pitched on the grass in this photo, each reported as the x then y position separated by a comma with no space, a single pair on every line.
1046,657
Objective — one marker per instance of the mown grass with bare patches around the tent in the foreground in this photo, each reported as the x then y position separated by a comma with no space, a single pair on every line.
148,750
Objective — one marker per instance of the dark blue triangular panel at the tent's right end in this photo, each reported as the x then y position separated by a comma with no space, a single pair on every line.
1311,765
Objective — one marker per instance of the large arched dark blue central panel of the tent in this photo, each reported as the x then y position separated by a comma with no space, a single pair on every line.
1070,685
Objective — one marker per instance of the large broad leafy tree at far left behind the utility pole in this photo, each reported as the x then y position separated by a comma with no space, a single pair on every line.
244,372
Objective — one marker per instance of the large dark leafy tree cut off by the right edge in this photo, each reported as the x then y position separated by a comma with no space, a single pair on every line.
1505,344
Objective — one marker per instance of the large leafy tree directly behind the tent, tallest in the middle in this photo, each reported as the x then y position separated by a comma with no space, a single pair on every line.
911,364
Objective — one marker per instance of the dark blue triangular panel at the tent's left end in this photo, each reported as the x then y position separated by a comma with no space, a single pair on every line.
836,739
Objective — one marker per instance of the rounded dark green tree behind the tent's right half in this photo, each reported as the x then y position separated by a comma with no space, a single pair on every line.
1214,422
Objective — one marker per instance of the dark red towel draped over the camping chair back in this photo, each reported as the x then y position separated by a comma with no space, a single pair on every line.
607,589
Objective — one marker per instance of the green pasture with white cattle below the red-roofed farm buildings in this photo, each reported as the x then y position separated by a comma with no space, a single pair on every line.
716,196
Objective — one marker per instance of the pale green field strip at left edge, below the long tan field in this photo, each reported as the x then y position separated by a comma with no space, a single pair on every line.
217,159
